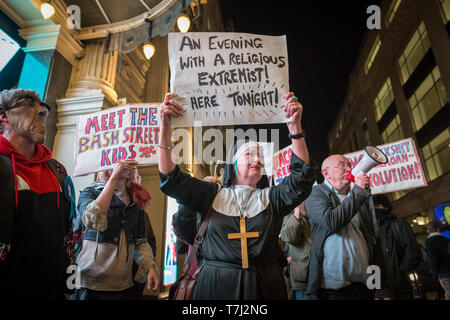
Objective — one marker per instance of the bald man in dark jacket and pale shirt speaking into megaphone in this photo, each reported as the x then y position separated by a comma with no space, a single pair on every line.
344,240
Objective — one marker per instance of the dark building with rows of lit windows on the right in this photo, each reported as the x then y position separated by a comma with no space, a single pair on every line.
400,88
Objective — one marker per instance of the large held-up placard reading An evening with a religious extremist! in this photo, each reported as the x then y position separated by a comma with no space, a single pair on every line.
228,78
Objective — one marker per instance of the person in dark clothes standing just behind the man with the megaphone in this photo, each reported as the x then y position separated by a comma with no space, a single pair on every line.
401,251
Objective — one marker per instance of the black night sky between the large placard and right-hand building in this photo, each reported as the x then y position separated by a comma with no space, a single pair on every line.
323,39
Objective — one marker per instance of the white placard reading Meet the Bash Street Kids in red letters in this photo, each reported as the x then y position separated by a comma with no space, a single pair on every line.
126,132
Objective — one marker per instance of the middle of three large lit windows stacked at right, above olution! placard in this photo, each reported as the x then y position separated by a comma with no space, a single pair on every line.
428,99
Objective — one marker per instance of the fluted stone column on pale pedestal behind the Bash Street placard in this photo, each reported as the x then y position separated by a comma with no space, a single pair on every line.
90,90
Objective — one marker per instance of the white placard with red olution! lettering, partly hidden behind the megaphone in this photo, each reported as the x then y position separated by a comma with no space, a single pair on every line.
403,170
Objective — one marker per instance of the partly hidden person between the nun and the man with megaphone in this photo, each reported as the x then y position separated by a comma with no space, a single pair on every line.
296,232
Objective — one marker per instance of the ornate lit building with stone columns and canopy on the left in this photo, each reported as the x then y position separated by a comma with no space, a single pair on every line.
82,71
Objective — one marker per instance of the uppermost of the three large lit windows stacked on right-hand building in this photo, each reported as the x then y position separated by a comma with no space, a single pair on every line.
415,50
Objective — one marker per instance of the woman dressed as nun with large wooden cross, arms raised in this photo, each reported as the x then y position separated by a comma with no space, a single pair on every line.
240,249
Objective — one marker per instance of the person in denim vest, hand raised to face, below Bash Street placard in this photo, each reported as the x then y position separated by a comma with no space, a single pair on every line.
114,234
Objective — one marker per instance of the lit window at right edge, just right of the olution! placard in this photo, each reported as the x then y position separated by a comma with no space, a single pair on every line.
437,155
